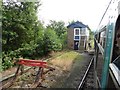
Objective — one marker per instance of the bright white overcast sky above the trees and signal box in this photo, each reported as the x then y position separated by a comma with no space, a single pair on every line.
88,12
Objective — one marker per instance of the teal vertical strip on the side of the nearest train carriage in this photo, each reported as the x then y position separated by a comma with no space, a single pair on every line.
107,56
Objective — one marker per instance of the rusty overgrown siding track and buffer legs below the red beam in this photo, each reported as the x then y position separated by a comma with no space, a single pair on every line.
28,78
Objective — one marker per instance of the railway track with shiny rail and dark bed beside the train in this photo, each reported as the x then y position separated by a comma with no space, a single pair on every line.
87,81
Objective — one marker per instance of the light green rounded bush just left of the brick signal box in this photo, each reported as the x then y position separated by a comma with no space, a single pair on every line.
51,41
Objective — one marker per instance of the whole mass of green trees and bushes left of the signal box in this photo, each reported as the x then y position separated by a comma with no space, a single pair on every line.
24,36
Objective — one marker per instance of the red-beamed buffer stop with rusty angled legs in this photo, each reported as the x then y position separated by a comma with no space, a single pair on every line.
39,77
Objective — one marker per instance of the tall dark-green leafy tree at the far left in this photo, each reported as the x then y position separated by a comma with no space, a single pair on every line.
19,19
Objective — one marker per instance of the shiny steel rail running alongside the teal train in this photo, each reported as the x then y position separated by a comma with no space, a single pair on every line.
85,75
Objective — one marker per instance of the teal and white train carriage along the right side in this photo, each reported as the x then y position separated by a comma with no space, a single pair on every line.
107,48
